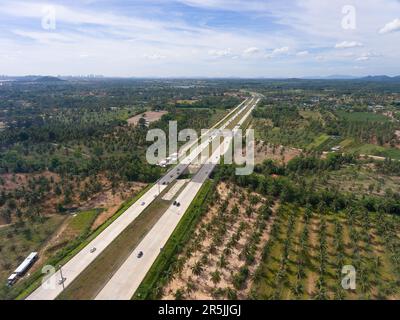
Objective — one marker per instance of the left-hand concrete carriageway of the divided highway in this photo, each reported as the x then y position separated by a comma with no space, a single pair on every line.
85,257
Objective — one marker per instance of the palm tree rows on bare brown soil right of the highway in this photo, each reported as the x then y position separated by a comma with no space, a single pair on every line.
223,233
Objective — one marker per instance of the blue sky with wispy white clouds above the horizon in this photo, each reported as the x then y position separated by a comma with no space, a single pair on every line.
202,38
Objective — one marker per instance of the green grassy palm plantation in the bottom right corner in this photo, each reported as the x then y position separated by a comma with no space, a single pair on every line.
306,252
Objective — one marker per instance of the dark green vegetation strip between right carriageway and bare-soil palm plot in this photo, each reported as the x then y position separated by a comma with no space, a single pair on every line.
162,268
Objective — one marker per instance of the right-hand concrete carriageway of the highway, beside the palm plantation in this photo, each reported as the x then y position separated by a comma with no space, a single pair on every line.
127,279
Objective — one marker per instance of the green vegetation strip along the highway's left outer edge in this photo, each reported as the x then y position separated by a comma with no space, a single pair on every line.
67,253
